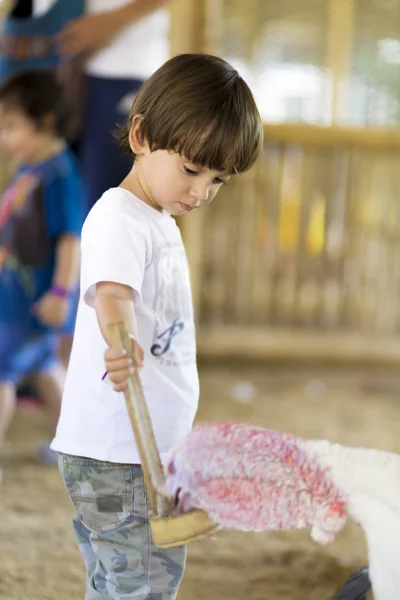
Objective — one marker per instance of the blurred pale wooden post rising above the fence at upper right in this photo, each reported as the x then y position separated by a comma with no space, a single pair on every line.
339,54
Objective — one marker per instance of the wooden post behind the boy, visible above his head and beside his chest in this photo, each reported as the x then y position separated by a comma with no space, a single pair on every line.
188,34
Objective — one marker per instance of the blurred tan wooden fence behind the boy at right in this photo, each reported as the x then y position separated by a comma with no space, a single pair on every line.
301,256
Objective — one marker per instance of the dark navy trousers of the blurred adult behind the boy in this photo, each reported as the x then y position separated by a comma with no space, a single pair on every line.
107,105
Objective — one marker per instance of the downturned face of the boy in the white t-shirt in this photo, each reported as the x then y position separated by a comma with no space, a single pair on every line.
176,185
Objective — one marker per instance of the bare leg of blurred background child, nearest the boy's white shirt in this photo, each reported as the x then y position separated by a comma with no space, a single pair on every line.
50,385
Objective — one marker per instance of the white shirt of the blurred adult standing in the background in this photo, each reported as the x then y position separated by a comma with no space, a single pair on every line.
136,52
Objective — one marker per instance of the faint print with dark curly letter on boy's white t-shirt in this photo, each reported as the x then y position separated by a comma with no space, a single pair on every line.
174,336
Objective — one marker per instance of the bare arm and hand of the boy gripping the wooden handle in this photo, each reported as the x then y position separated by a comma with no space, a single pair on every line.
113,303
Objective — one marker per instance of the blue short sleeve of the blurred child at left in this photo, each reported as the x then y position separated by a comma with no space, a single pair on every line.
65,200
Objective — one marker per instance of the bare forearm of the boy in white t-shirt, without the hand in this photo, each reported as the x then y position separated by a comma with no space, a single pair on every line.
111,308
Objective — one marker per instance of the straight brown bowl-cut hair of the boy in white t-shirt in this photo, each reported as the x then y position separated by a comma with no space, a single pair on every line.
199,106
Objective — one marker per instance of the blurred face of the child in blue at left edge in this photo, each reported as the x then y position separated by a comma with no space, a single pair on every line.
19,135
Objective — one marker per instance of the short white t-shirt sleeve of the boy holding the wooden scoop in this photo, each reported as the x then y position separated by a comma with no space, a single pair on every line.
114,248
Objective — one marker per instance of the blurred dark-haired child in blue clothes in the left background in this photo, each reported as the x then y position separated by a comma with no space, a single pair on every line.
41,214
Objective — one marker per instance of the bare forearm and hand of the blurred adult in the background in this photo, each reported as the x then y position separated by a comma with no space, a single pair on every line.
89,34
